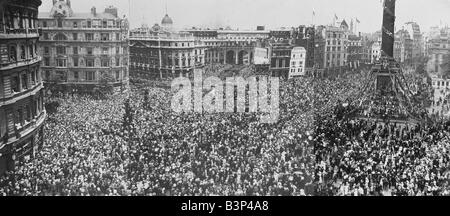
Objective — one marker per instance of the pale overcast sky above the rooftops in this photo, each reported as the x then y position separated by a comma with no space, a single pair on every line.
247,14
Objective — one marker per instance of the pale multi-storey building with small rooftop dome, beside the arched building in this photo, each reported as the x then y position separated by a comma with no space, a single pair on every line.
160,53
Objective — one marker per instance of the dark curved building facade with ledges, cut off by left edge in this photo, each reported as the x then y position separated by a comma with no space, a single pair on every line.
22,112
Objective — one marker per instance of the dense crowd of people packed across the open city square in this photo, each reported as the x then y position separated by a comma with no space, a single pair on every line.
134,144
